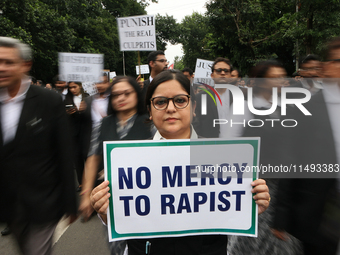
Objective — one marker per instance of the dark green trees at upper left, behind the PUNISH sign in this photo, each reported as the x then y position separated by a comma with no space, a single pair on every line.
86,26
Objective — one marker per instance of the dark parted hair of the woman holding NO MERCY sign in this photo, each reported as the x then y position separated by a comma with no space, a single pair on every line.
169,75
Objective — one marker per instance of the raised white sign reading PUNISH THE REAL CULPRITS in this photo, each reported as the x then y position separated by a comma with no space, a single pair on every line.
137,33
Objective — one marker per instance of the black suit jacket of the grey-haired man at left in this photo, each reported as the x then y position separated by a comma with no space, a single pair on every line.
36,177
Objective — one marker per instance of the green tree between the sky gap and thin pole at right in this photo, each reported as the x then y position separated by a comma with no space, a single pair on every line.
248,31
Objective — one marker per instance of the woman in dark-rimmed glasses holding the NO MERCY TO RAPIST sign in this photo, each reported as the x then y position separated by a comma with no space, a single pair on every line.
171,107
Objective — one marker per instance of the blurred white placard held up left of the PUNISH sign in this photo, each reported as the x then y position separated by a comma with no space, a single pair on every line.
81,67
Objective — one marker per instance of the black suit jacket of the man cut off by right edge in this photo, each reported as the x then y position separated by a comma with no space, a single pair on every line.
302,204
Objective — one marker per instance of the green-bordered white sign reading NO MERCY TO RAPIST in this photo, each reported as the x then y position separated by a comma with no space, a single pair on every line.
170,188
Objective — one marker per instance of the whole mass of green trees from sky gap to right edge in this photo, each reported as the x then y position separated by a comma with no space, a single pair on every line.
248,31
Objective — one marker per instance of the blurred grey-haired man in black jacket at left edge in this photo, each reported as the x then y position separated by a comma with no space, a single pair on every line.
36,177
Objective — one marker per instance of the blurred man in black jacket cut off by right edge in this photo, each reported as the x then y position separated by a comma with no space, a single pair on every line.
308,207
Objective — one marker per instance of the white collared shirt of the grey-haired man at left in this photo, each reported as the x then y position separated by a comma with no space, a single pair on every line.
11,109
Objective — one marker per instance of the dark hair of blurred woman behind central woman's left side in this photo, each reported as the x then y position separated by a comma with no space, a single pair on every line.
136,87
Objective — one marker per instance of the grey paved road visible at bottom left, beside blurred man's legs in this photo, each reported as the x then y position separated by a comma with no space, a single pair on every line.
88,238
